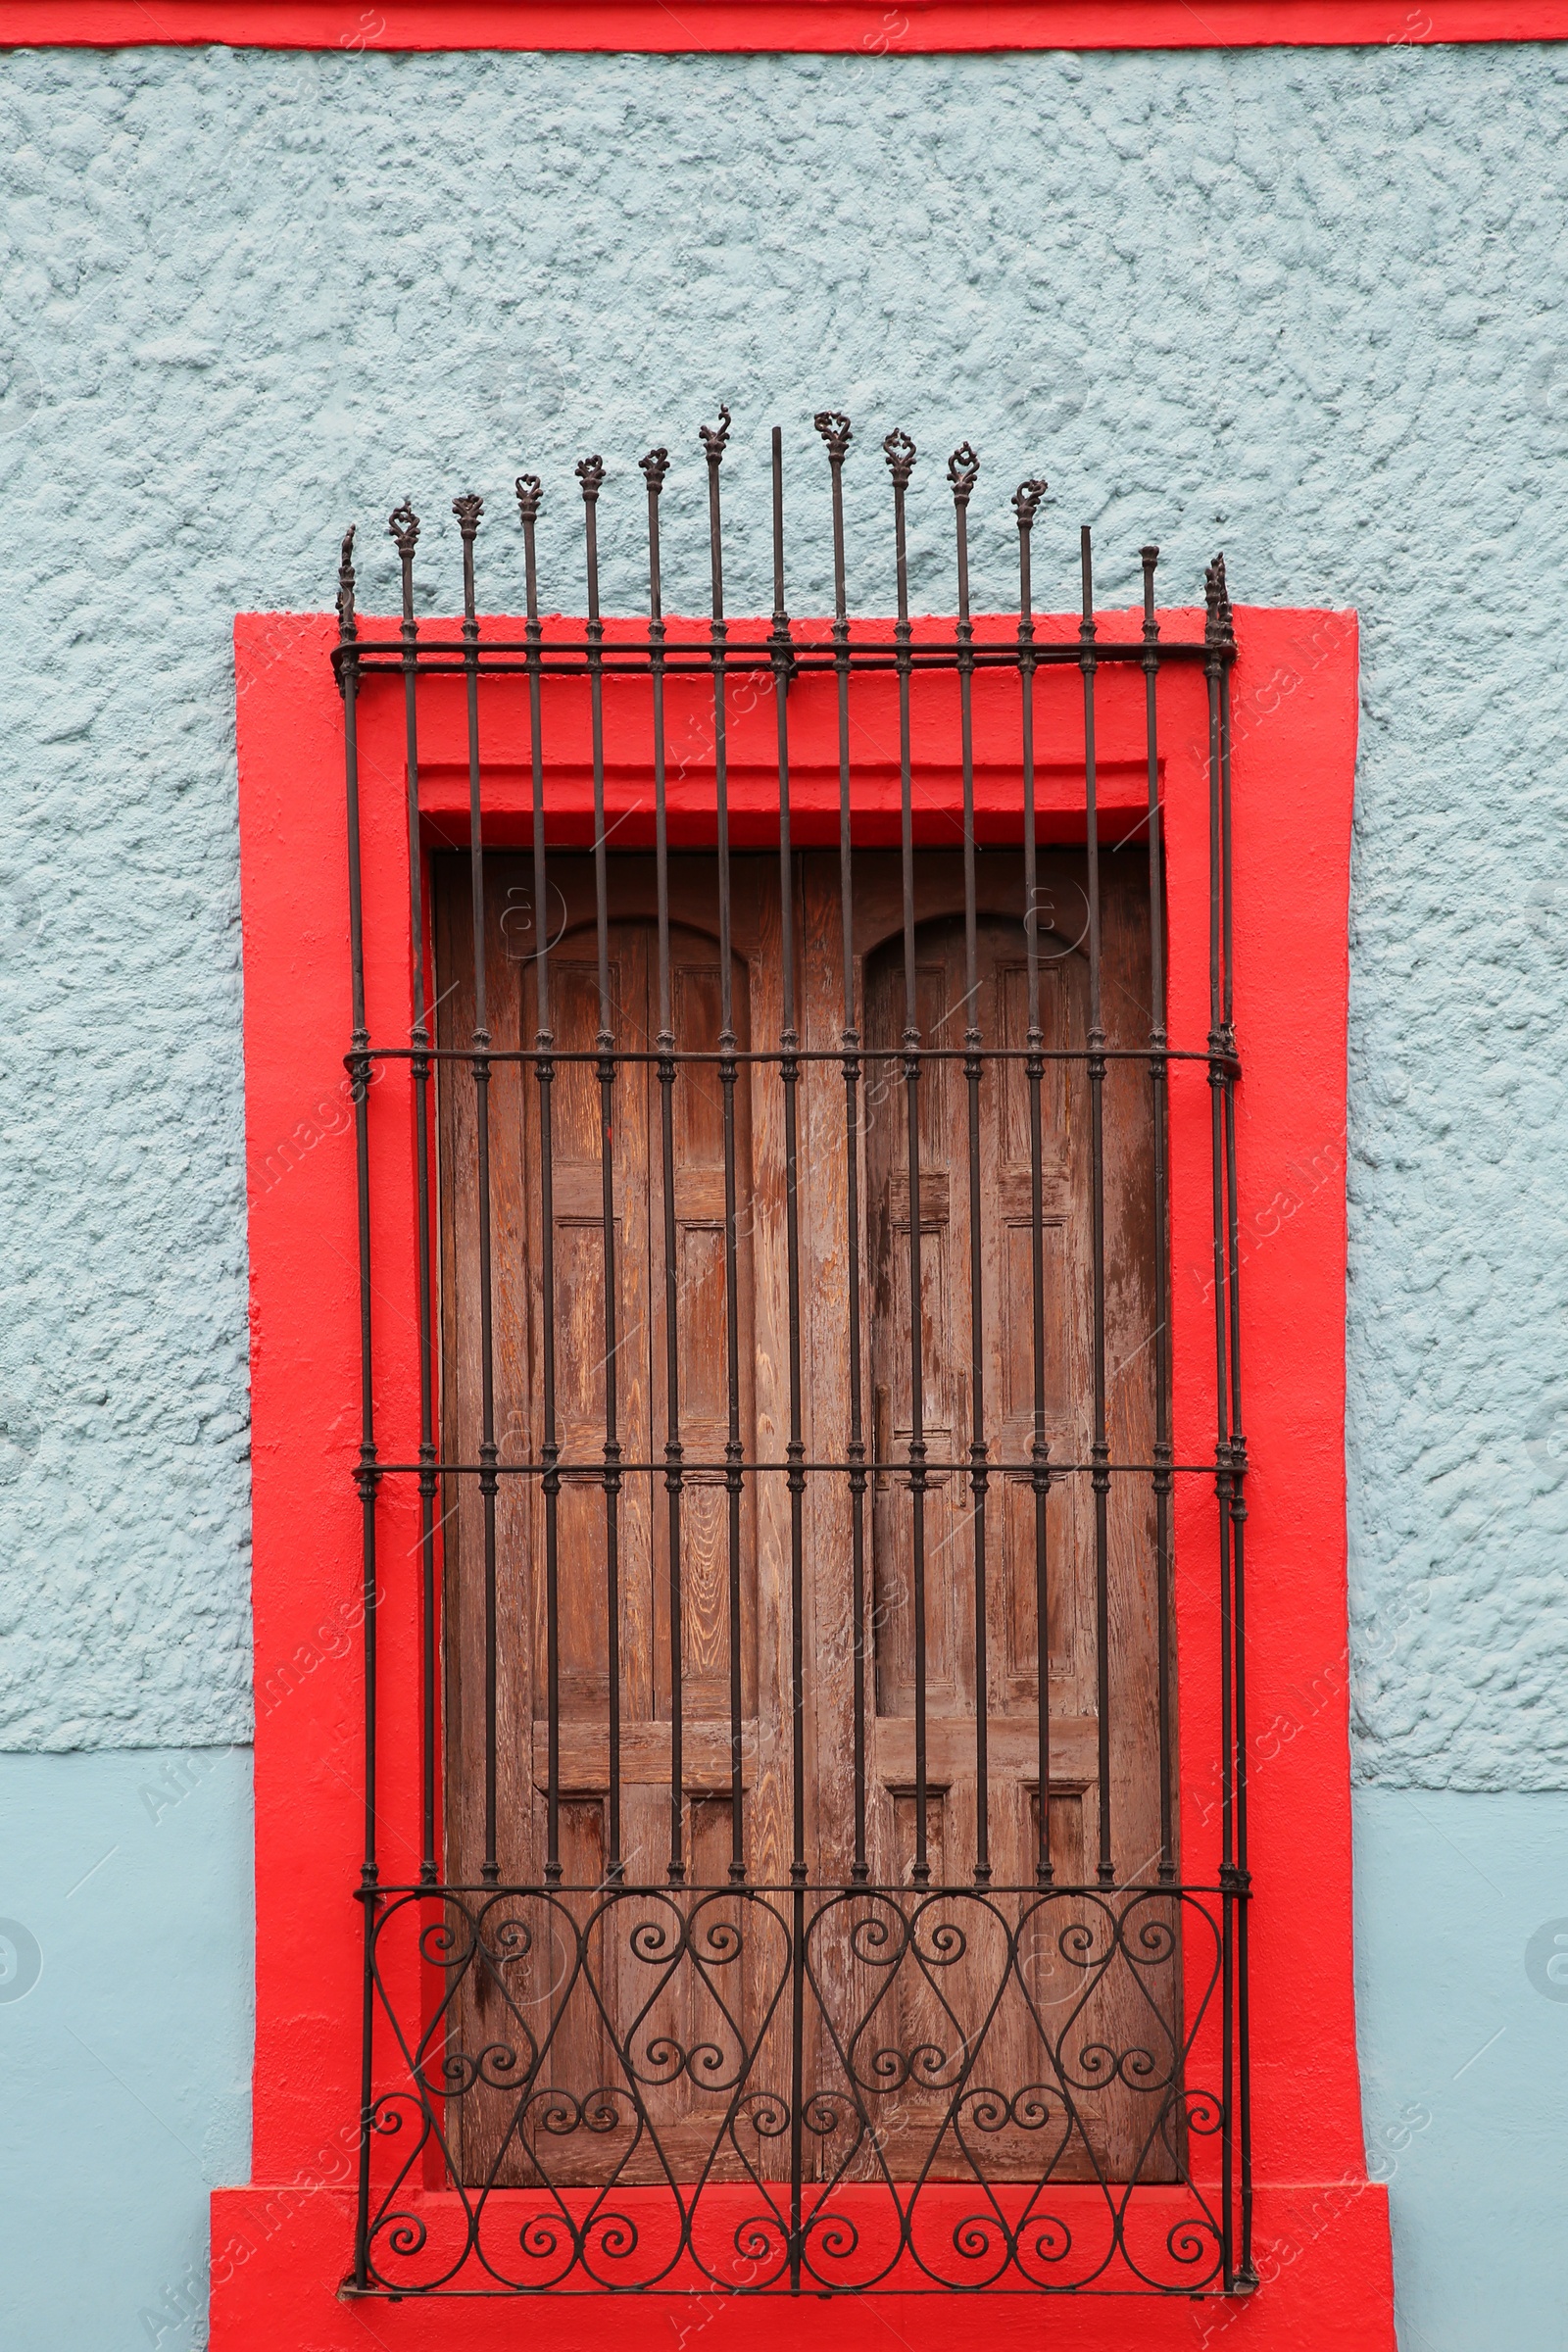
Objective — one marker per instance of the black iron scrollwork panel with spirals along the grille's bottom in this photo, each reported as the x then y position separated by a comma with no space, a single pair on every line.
958,2090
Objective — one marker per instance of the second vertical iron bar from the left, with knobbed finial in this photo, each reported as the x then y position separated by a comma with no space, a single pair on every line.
403,528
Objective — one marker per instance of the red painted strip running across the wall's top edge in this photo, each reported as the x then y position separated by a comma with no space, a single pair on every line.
866,27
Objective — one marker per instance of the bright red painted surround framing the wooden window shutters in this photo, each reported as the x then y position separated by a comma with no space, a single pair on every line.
283,2245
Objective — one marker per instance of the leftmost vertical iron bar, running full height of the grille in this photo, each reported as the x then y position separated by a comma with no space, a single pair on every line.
368,1476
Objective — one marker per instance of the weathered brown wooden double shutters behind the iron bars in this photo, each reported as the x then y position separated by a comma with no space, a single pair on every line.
596,1984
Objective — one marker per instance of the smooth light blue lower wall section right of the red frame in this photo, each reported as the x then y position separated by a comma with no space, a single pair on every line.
1463,2026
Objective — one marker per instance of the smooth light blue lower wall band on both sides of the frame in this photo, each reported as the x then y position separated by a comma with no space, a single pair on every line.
128,2057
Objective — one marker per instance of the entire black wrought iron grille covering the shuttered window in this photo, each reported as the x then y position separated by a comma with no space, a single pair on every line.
871,2047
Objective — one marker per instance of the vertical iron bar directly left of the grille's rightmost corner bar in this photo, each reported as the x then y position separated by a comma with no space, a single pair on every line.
1162,1274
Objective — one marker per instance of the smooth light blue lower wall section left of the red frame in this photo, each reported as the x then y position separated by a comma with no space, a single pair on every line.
126,2040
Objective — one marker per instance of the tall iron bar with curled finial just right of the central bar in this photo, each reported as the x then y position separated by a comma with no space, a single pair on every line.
838,434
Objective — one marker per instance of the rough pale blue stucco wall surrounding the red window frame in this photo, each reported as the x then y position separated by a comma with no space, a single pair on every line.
1304,305
